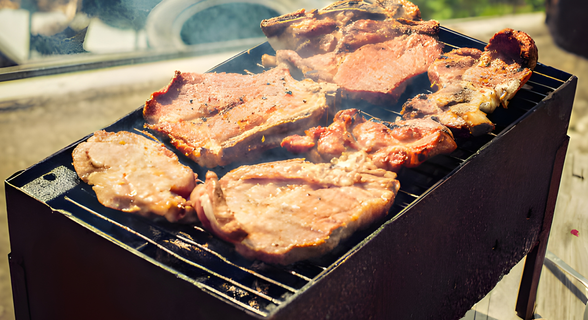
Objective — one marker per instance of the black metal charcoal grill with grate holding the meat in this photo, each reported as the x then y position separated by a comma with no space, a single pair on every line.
459,223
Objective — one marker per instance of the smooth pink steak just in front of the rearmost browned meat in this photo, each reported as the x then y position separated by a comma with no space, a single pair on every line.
376,72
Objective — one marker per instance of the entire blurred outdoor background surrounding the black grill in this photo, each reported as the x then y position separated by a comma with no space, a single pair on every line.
70,67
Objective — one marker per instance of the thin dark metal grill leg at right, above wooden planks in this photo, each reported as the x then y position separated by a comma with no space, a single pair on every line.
525,306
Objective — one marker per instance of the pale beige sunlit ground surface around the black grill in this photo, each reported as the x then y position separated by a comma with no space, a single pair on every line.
40,116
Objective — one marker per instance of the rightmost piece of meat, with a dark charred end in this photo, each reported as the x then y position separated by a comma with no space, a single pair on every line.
472,83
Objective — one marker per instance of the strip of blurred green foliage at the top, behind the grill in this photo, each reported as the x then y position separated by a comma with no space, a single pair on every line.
452,9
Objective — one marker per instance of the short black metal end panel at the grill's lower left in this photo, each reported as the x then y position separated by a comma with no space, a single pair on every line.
74,272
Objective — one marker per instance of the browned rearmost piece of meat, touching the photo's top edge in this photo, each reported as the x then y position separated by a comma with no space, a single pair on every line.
318,31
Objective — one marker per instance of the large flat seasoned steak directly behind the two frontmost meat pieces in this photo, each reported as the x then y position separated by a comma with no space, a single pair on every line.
218,118
